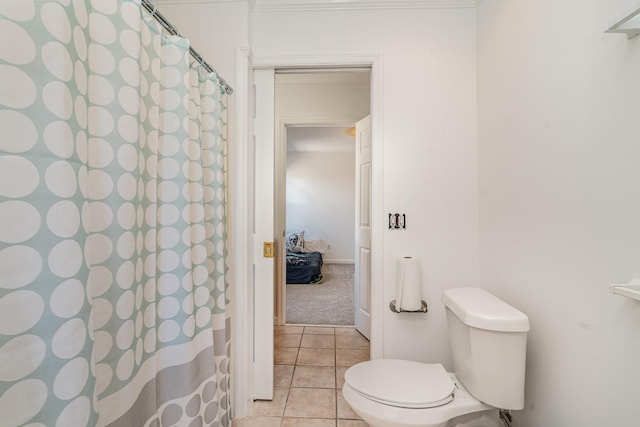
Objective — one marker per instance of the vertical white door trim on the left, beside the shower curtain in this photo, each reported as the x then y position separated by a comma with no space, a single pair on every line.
241,247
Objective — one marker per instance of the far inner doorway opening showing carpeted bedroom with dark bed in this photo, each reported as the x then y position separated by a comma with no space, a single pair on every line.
320,219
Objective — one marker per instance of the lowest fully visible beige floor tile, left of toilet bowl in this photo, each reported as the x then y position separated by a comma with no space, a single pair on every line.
311,403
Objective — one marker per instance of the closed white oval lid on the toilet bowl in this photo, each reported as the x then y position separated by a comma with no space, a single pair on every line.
402,383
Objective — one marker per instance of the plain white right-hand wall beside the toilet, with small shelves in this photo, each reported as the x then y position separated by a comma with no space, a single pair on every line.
559,178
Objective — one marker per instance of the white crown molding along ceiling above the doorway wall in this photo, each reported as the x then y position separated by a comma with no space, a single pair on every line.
337,5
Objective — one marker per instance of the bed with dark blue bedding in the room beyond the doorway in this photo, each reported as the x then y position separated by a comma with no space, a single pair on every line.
304,259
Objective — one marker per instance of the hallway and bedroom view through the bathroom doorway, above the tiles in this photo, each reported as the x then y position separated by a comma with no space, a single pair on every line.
316,111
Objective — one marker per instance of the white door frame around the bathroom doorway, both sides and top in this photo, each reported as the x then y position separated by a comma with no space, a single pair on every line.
242,318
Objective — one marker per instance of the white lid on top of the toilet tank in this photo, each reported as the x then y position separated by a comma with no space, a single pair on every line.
479,309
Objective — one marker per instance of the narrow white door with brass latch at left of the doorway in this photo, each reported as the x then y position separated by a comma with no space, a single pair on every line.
263,264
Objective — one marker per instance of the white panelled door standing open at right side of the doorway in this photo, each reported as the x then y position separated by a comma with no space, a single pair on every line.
363,227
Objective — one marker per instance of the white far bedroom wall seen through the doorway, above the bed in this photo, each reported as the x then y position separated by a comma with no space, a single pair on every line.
321,199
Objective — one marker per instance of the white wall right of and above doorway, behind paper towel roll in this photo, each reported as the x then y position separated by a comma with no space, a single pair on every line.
429,137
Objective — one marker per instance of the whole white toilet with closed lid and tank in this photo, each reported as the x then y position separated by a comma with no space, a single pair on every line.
488,340
